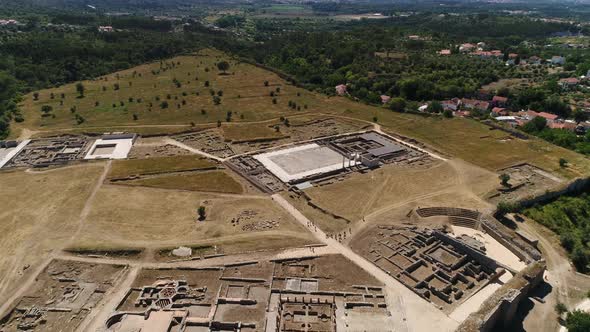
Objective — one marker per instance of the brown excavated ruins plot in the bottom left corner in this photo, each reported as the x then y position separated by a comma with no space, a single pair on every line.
62,296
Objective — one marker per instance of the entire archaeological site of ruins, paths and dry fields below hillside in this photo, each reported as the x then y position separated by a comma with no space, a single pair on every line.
324,225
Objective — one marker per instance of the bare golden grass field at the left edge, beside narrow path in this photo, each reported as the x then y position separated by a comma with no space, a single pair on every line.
40,213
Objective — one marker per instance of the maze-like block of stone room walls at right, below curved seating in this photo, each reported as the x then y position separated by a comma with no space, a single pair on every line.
441,269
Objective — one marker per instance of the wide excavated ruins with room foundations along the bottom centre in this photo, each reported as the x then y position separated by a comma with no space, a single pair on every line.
326,293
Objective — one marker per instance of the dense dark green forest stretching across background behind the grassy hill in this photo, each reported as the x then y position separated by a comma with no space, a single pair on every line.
373,57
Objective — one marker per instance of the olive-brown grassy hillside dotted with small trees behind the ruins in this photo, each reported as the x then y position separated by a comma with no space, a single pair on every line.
465,139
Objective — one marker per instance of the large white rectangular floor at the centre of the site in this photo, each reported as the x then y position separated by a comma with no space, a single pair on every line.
303,160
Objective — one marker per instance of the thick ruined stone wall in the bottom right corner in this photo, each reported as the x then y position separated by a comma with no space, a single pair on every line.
501,307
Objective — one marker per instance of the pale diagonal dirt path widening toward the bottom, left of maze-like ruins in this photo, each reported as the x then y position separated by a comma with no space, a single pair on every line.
422,316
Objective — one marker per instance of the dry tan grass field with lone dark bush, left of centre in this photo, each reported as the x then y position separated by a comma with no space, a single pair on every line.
140,217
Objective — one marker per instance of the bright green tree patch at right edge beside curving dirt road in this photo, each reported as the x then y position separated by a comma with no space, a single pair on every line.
569,217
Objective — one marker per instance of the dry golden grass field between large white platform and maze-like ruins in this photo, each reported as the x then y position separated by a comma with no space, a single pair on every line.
376,194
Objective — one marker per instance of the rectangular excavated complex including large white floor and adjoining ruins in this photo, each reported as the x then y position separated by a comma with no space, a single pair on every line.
303,165
